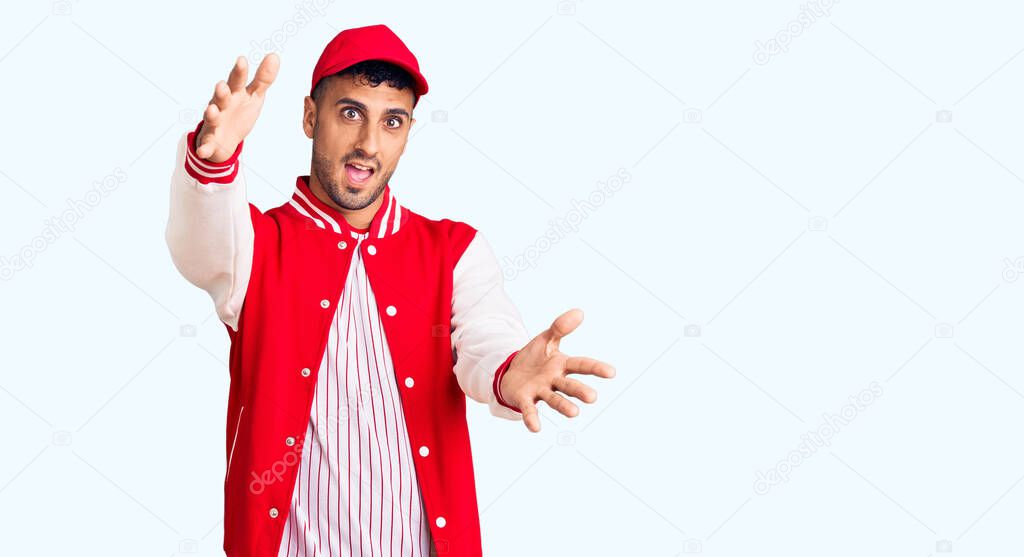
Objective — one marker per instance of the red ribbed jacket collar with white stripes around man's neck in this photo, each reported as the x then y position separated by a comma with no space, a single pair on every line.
388,222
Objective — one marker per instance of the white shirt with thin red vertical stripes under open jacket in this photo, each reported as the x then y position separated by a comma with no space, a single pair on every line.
357,492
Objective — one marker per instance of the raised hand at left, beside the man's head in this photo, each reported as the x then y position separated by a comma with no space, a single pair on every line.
234,109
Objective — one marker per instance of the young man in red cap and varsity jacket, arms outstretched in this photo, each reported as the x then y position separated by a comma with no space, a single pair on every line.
358,327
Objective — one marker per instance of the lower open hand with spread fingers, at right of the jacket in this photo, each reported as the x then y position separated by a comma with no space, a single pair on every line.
541,369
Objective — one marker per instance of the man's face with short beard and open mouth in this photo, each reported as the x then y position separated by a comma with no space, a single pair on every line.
359,133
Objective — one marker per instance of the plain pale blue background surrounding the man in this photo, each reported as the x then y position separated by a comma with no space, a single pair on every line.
847,211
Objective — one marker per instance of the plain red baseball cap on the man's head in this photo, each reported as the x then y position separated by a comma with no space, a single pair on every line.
368,44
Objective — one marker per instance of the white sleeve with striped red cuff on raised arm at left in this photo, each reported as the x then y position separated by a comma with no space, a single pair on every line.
209,229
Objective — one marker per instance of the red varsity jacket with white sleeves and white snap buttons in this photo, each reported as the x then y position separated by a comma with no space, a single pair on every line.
276,278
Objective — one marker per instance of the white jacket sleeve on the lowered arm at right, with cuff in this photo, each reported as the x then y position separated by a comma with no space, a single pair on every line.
487,328
